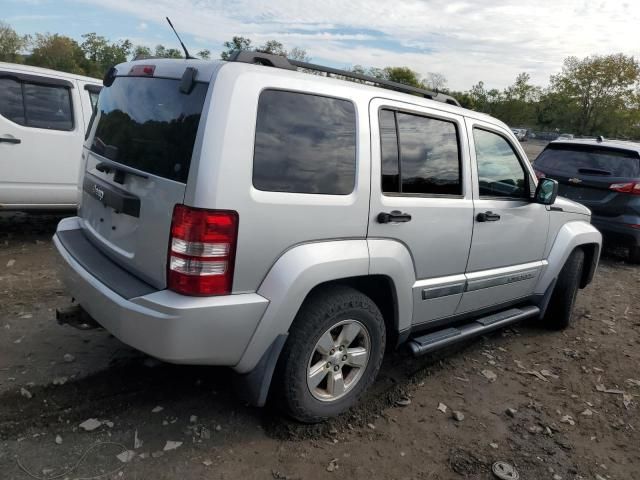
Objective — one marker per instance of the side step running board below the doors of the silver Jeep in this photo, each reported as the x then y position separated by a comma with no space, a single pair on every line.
442,338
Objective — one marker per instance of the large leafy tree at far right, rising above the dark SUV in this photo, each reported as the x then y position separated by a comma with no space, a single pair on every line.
599,88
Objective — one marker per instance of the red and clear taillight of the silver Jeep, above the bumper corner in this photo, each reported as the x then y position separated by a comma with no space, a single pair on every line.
202,251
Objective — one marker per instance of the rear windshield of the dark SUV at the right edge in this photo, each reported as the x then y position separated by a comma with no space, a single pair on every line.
587,160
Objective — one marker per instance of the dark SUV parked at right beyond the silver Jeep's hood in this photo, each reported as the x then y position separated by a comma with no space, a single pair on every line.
604,175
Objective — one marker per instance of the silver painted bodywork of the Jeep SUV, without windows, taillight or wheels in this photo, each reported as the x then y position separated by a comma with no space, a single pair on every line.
440,264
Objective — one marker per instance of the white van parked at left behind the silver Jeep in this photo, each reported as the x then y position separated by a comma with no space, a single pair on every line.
44,115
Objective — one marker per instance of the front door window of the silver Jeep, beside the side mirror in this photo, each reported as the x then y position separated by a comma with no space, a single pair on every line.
500,173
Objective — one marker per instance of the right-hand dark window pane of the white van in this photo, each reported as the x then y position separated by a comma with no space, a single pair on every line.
48,107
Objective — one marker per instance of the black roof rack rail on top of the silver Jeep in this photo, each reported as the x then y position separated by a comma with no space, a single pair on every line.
278,61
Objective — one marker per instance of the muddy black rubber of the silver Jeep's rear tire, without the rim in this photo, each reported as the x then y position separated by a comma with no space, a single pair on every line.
326,308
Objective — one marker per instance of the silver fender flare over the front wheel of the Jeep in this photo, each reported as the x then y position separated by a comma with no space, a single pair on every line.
571,235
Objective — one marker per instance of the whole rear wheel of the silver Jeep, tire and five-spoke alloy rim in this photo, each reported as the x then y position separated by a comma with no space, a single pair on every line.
333,354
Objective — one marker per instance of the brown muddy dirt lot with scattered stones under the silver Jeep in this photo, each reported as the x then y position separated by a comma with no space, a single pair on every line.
563,425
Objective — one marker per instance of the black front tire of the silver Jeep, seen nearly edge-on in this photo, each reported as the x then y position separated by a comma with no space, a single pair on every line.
558,314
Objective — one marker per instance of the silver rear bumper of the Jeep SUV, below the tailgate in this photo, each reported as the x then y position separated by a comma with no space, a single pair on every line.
164,324
